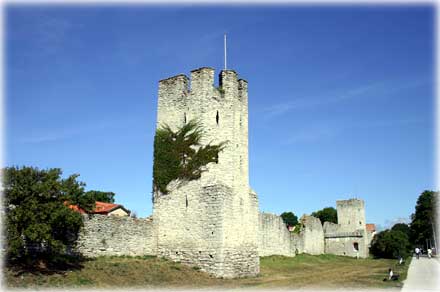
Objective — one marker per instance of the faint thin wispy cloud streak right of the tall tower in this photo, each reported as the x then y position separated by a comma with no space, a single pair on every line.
373,89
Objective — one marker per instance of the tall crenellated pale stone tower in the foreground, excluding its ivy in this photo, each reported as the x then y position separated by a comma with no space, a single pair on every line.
211,222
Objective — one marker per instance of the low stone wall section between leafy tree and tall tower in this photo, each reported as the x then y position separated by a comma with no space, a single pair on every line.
115,235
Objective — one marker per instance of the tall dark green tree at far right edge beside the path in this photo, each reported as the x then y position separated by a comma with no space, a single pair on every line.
423,219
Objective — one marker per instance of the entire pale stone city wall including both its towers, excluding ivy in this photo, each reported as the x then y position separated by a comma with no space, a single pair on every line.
213,222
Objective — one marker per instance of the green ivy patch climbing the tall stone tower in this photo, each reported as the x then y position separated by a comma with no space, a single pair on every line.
180,154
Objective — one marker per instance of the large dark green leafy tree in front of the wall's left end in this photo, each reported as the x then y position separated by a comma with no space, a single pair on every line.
38,222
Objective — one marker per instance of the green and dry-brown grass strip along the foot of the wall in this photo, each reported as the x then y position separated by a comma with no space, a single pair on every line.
302,271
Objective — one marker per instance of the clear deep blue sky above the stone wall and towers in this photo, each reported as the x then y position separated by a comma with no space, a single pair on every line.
341,98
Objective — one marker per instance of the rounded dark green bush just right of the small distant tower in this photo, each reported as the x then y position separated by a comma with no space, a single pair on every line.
390,244
